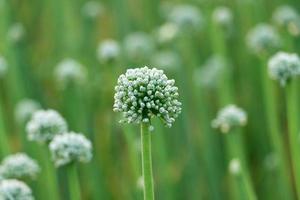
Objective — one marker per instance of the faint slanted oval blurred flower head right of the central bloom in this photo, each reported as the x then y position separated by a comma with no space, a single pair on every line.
210,73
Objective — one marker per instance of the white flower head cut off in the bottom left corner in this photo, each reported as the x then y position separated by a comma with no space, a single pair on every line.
12,189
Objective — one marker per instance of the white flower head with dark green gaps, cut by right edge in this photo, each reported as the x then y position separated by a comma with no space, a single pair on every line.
284,66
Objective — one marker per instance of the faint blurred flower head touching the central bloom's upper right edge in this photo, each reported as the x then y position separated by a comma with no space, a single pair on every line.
167,60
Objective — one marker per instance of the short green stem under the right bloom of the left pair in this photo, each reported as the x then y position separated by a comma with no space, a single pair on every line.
73,182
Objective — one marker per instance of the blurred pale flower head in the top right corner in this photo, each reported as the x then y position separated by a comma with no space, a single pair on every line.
287,17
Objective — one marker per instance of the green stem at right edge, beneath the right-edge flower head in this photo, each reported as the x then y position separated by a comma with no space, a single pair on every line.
293,127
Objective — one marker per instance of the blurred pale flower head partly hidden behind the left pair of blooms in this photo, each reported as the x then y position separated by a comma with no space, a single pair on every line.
24,110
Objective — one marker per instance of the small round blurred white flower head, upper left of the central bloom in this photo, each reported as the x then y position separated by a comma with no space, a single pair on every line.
108,50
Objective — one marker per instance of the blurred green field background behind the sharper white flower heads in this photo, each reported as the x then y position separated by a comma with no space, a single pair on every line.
202,44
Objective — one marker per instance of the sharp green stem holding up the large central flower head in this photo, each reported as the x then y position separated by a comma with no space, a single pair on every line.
147,162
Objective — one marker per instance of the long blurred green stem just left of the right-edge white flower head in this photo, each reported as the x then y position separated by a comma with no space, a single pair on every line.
284,184
